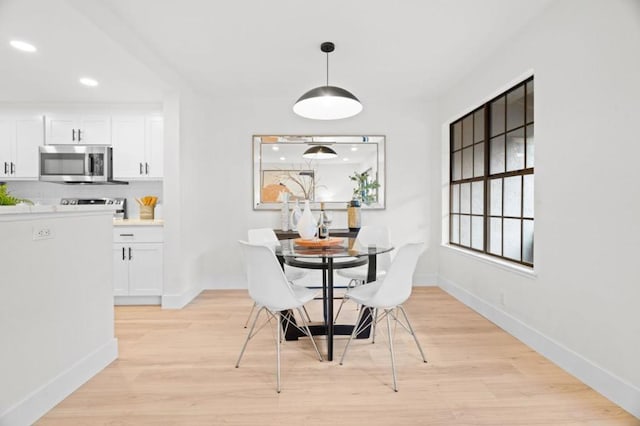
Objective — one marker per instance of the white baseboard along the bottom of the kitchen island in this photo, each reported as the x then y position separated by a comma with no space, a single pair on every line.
34,406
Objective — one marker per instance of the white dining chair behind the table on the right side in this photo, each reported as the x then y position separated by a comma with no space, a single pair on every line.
367,236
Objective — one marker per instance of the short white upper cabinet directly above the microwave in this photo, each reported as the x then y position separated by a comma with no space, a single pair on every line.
78,129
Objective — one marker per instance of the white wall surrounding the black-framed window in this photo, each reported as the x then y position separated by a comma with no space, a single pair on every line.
581,308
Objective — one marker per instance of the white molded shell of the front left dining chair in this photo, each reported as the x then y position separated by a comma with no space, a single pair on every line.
268,286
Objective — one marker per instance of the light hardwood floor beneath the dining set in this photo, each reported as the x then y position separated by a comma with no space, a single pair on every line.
176,367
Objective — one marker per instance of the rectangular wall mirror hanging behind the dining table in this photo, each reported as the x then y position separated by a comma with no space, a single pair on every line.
279,166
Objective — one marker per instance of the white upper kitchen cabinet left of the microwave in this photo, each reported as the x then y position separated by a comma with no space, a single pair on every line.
20,138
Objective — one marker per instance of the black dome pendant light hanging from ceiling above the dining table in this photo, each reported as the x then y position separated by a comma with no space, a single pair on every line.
327,102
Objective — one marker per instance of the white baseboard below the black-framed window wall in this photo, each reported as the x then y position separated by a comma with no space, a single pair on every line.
602,381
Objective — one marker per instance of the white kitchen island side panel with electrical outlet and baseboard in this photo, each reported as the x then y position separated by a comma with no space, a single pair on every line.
56,309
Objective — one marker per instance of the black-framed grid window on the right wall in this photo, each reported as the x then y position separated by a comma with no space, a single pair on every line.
491,177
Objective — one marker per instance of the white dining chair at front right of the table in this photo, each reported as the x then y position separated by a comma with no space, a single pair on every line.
388,294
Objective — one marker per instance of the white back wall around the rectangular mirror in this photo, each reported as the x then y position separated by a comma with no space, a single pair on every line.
216,178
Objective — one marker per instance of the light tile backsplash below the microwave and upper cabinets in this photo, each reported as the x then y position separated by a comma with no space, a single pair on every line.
51,193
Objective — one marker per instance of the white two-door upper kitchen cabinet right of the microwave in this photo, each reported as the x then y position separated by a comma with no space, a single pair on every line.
137,147
